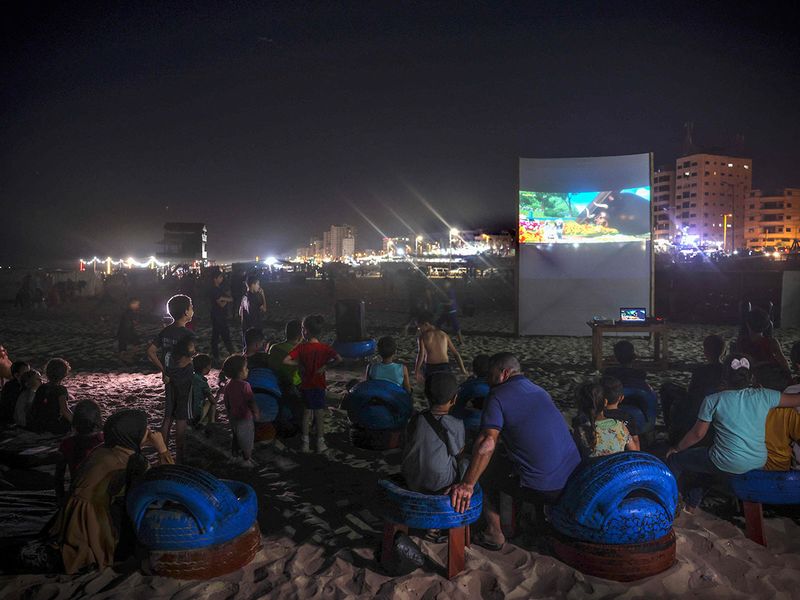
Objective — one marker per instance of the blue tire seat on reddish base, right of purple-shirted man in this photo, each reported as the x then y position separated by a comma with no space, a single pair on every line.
614,518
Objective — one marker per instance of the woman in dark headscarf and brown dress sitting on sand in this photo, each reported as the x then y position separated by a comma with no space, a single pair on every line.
90,525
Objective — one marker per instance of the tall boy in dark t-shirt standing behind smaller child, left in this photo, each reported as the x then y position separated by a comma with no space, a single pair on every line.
176,409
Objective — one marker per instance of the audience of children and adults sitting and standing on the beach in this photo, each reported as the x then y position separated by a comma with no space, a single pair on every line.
737,414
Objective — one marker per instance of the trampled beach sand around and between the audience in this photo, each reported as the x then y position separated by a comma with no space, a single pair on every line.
318,515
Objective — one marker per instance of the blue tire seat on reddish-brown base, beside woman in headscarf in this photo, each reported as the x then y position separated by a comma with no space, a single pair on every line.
193,525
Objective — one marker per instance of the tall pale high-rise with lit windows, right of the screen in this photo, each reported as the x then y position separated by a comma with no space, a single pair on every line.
707,188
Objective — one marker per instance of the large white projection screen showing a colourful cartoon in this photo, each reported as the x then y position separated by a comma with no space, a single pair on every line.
584,241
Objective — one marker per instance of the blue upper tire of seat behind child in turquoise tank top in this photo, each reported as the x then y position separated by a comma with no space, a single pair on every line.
379,404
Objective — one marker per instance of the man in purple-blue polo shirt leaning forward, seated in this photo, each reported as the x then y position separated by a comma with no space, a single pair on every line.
541,451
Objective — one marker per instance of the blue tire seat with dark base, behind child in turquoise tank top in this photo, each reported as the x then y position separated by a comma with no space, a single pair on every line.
379,412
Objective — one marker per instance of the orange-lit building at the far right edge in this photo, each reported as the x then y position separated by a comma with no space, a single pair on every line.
772,218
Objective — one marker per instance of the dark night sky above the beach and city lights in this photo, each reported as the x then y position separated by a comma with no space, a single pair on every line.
269,122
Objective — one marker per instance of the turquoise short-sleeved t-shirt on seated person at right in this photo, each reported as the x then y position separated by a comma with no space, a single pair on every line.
739,418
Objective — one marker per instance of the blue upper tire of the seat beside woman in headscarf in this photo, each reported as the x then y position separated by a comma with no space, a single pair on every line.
210,501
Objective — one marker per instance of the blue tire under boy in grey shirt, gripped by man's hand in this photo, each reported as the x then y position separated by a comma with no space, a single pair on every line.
422,511
